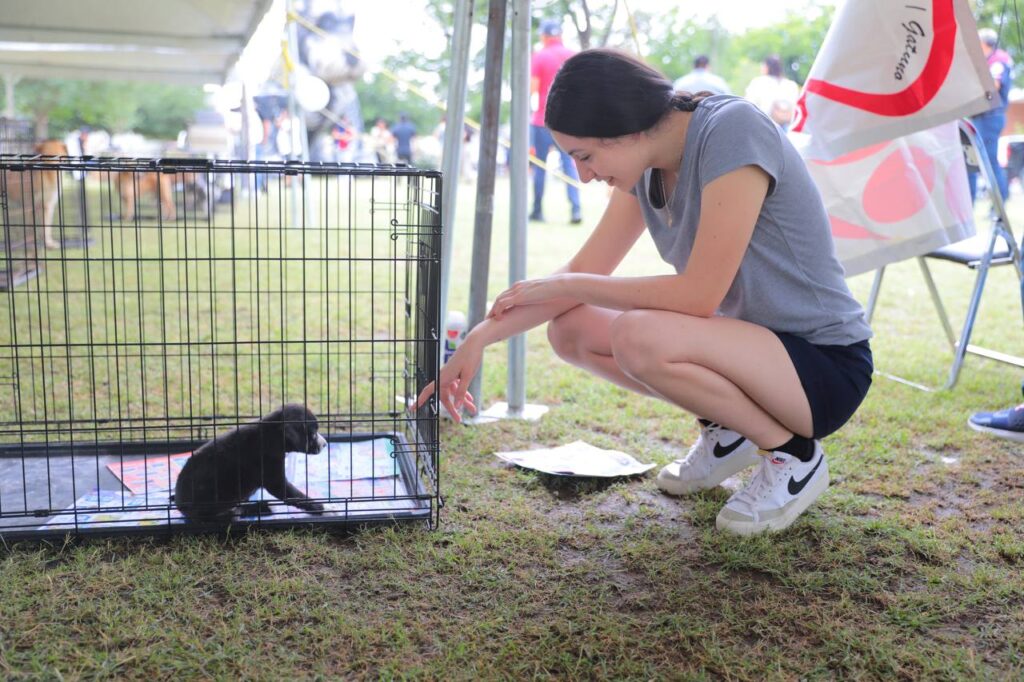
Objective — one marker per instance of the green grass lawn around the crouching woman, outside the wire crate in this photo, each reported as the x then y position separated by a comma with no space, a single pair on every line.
909,567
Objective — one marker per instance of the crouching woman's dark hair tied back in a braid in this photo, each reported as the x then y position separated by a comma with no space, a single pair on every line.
610,94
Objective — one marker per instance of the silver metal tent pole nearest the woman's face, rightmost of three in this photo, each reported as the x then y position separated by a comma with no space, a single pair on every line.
519,173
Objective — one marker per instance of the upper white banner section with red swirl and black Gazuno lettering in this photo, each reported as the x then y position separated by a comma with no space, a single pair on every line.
888,69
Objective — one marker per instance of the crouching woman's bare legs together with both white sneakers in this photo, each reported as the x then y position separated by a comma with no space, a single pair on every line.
735,373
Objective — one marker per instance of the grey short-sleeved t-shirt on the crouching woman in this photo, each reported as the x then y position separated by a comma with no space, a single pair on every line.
790,279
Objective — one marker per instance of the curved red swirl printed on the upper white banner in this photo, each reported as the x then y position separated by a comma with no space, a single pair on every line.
909,101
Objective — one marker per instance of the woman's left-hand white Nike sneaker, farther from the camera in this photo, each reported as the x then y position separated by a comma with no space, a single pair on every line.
717,455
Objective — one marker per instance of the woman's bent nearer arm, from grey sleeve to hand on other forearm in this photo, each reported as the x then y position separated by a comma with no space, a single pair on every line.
730,210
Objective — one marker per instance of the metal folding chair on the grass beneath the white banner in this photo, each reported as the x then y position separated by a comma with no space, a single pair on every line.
978,253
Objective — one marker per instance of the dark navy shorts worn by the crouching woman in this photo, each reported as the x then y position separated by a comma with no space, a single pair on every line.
836,379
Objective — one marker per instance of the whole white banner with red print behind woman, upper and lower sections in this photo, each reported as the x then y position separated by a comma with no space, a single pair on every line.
876,124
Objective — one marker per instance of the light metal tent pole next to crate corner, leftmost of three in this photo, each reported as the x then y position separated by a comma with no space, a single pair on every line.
454,119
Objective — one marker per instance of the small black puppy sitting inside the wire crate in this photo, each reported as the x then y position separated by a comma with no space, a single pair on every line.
222,475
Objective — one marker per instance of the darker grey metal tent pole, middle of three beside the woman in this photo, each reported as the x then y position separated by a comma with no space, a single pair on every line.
487,168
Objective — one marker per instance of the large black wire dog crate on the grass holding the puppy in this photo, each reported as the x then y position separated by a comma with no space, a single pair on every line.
209,295
